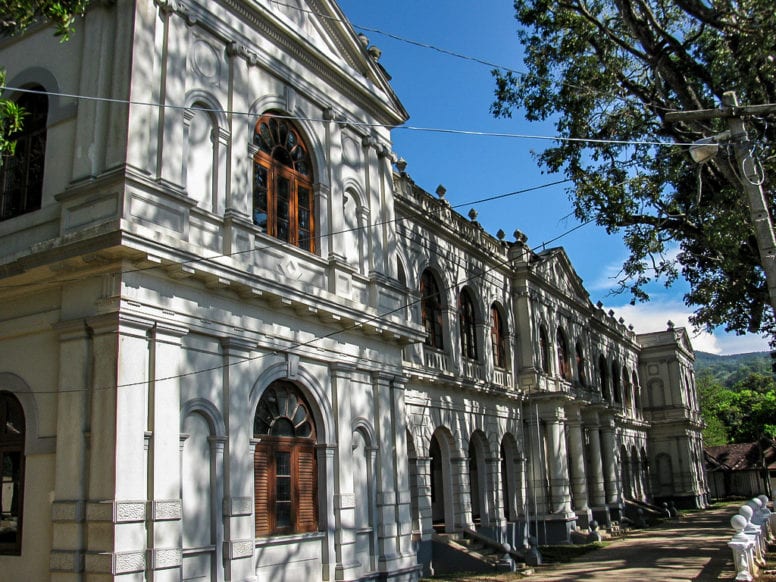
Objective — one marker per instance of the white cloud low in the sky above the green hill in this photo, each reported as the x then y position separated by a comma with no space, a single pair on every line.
654,316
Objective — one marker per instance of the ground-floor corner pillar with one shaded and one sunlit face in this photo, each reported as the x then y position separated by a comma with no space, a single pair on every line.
117,486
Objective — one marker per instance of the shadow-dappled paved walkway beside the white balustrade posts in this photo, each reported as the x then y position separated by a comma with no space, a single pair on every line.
693,547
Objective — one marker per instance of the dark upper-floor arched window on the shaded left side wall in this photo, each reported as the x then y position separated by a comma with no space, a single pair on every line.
21,175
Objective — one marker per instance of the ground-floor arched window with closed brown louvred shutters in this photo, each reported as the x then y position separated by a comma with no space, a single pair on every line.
285,470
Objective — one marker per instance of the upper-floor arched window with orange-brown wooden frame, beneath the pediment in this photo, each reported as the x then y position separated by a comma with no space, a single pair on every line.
283,202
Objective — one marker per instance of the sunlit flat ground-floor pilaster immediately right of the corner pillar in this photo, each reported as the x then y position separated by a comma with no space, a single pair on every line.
164,522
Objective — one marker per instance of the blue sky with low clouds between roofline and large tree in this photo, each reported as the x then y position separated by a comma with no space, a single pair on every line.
441,91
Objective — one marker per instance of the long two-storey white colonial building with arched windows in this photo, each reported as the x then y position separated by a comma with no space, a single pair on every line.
237,342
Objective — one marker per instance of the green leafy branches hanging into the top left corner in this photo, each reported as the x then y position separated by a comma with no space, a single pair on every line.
16,17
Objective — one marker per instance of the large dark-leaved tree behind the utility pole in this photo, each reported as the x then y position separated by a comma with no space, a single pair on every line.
607,72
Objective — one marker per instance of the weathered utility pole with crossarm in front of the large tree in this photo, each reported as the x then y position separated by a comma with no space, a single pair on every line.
748,176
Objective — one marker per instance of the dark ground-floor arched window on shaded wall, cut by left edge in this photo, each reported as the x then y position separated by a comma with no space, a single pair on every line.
12,431
